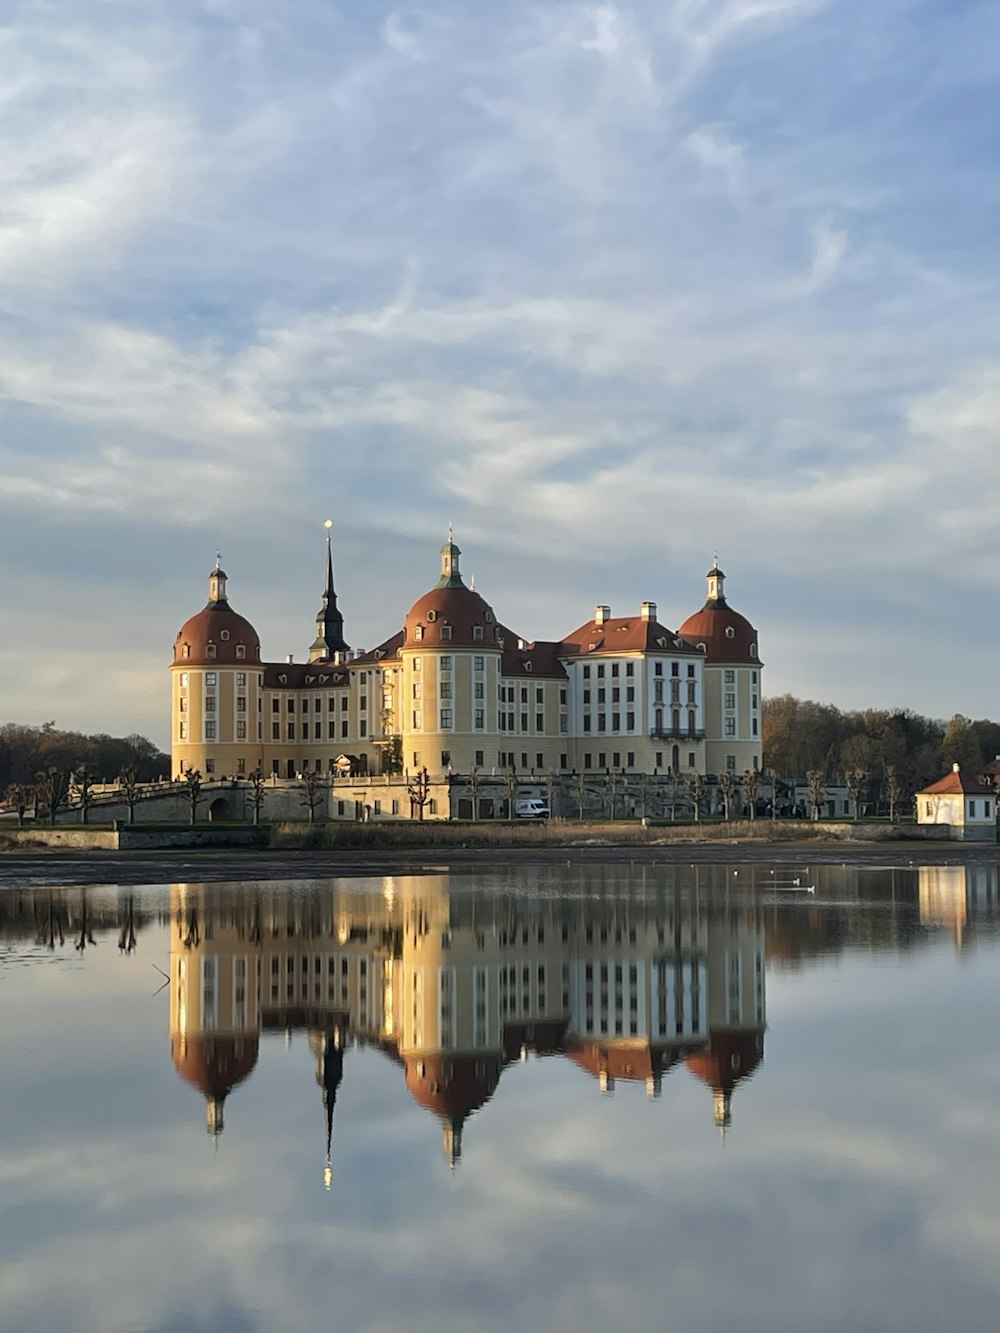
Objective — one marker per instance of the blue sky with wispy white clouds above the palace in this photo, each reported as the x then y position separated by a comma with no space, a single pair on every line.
606,286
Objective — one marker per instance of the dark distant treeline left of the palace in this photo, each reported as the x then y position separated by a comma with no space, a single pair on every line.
29,751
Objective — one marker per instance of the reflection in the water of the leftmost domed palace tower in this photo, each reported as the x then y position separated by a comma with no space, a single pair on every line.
214,1006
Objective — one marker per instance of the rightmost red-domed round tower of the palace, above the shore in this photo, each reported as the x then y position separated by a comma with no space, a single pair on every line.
733,680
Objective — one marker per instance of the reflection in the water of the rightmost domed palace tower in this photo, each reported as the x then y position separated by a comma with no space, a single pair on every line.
735,1006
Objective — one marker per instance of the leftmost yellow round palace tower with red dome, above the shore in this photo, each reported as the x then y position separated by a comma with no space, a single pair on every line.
217,686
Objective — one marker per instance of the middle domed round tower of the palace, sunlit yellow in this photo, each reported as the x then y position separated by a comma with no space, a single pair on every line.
451,658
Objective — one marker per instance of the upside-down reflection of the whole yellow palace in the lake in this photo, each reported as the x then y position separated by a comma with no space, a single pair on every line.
455,987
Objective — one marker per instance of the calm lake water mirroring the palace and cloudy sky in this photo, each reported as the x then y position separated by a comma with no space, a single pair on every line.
689,1099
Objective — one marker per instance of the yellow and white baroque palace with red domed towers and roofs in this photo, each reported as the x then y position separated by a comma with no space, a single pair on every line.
457,692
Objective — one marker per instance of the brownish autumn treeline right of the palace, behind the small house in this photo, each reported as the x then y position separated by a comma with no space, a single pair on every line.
802,736
